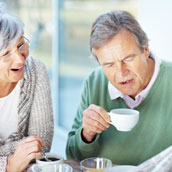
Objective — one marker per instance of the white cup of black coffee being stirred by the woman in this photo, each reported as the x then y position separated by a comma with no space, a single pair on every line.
49,166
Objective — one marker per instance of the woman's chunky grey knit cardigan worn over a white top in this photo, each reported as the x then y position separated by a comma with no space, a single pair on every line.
35,115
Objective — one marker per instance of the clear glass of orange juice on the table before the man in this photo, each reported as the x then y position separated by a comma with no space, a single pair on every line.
95,164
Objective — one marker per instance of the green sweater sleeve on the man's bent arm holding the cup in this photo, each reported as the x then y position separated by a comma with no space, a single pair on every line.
76,148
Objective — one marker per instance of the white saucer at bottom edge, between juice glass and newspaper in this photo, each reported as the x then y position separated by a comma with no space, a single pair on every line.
121,168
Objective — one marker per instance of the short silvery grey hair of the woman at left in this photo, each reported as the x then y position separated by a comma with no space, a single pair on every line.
11,28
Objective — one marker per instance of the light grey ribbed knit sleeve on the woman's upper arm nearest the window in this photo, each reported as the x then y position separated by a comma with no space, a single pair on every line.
41,116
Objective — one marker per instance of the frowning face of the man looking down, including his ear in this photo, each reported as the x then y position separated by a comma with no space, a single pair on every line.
124,63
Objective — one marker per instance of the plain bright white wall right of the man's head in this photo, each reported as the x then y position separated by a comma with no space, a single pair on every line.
155,16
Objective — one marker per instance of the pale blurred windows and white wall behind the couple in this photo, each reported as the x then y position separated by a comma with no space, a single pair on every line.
59,34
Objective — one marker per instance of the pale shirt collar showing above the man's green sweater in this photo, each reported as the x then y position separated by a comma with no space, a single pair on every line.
115,93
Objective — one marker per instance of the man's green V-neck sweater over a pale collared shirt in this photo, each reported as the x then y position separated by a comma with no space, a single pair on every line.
152,134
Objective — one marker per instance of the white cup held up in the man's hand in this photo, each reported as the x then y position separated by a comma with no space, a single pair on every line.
124,119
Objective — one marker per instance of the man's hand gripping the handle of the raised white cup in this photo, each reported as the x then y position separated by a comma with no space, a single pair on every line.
95,120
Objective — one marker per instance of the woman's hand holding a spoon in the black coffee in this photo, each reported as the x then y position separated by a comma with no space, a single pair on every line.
27,150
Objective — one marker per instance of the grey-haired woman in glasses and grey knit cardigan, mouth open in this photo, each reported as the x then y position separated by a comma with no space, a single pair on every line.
26,119
